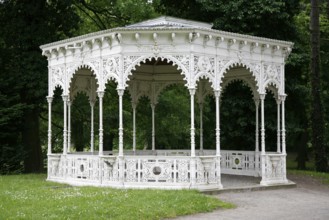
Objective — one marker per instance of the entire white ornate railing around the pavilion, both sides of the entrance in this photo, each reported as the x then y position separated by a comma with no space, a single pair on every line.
167,169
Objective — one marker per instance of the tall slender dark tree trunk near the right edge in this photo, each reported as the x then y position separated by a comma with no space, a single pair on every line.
321,162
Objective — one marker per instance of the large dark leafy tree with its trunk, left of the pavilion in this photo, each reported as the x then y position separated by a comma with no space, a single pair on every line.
25,25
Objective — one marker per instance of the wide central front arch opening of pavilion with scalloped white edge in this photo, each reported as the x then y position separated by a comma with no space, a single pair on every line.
161,80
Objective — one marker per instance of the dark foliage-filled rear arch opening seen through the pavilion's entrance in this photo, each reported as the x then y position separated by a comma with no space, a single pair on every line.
237,117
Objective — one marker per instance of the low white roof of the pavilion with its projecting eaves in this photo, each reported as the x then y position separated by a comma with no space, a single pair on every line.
163,24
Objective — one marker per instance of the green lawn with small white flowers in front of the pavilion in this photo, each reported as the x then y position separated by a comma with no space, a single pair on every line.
31,197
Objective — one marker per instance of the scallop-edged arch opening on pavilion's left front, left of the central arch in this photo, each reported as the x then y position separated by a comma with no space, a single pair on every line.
83,84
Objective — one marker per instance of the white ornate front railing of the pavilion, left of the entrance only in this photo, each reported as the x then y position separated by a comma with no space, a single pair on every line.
145,171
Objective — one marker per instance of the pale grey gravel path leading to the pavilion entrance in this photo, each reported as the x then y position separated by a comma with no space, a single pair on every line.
309,200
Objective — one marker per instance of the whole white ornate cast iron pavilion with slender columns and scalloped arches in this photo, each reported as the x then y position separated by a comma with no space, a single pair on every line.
145,58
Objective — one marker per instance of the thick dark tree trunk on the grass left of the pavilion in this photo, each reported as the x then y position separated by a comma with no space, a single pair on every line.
31,141
